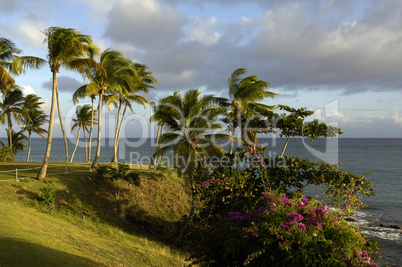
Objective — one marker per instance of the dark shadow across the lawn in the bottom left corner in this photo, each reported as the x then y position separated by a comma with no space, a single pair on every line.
14,252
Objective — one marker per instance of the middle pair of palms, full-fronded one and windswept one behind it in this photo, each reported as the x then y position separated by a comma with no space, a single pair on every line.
192,121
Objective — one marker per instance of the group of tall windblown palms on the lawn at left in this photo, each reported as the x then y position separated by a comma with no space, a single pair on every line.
115,80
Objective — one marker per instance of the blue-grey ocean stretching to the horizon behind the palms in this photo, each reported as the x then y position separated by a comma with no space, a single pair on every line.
382,157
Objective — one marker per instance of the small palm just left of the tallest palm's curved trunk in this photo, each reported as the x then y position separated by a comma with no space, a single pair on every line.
34,118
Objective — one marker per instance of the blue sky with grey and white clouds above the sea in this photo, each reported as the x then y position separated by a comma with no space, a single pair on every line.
345,54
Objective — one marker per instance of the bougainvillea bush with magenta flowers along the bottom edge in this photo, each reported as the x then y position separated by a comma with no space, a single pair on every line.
278,231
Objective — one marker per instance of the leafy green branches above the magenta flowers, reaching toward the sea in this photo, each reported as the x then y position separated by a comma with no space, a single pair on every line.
341,189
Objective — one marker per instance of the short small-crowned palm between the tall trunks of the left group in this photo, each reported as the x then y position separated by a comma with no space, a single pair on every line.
83,118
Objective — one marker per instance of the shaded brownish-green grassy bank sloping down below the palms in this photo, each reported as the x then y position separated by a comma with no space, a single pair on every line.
89,196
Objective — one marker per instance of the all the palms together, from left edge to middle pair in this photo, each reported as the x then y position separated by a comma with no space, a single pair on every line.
191,121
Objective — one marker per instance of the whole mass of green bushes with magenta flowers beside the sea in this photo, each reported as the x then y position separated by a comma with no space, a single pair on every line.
251,217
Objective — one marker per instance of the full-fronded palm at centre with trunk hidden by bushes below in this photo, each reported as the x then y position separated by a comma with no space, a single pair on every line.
190,121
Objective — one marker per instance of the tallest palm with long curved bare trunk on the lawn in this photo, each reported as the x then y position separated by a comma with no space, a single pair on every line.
73,50
